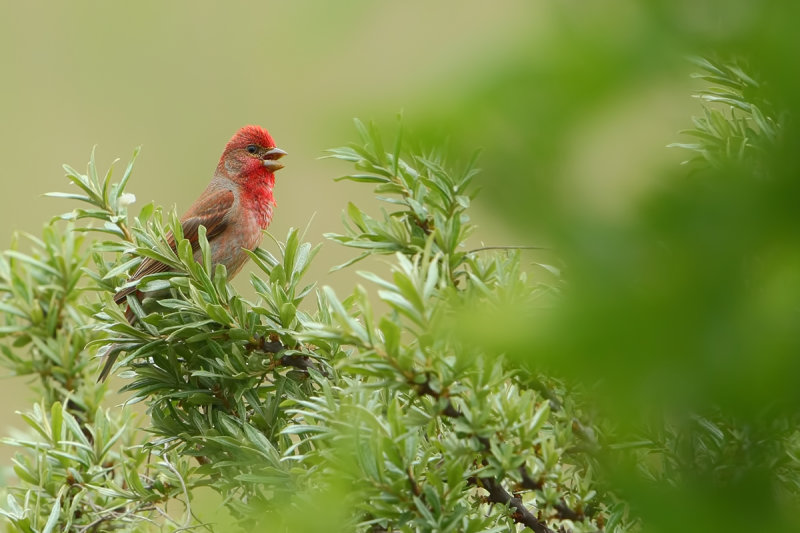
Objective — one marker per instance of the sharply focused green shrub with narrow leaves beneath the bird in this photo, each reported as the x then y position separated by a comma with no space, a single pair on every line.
286,397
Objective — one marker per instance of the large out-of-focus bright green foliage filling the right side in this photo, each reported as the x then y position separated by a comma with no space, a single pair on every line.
681,300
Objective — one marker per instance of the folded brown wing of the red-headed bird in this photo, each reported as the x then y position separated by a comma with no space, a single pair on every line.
211,213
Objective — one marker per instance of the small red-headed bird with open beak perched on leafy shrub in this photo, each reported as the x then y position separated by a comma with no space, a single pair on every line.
235,207
